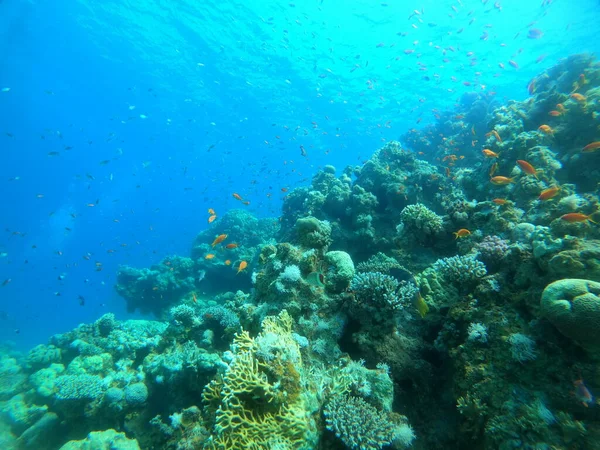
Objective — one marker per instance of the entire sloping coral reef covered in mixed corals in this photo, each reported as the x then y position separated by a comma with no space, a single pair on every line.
446,293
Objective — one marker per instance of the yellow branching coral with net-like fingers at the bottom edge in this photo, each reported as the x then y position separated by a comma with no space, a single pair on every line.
249,406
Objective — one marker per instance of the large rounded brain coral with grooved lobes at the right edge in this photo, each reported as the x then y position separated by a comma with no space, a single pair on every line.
573,306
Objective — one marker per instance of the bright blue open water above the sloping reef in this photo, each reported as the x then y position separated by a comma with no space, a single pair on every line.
221,74
